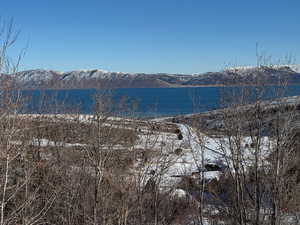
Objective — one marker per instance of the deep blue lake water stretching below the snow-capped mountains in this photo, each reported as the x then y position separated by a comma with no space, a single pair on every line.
145,101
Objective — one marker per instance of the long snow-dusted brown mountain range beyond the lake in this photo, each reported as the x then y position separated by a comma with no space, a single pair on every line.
99,78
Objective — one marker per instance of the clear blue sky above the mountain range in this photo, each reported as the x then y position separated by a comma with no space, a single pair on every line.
175,36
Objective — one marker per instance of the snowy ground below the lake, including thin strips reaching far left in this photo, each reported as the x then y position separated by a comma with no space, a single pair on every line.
198,149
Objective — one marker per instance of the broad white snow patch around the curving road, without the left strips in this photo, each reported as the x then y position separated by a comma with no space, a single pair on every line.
197,153
